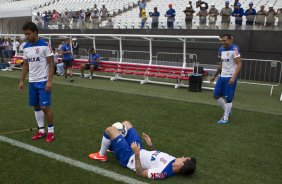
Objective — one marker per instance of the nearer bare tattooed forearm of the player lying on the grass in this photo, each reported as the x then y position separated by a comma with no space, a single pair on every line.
139,170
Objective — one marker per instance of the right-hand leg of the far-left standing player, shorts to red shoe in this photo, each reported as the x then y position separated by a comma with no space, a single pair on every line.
45,103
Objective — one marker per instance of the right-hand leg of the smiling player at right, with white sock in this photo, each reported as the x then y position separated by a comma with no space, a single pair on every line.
229,94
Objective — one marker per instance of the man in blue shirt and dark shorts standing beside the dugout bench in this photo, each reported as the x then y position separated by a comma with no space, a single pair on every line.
67,58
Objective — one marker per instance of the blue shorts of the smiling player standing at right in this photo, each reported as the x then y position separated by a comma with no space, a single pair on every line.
223,89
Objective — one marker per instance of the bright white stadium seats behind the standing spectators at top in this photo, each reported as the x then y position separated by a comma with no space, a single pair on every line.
122,21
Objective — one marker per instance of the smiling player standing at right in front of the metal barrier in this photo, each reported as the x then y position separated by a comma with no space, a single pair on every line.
229,68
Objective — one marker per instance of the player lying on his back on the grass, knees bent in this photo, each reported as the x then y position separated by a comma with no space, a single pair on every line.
128,150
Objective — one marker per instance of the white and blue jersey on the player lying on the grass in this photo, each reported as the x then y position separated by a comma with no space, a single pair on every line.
158,164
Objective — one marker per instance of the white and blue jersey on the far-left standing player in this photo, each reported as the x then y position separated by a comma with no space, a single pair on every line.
36,54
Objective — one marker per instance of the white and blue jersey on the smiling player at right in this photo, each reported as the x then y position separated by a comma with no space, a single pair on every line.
228,56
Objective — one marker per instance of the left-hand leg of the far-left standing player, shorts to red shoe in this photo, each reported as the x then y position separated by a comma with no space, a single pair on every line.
39,114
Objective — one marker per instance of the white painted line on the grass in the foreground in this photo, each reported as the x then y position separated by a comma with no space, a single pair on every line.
72,162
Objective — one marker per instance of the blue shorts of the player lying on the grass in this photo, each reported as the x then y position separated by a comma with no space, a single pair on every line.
121,146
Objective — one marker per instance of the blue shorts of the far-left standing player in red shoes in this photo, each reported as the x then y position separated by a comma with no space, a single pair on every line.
37,94
